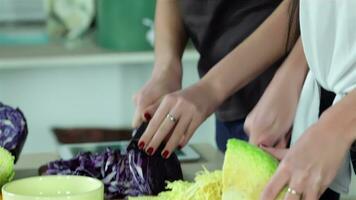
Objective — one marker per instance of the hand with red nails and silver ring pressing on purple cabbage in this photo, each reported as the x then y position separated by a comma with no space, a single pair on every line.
188,108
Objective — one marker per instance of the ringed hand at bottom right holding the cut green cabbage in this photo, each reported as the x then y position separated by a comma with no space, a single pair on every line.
308,167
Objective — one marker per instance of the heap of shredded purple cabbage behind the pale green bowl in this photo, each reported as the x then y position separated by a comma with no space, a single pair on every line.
131,174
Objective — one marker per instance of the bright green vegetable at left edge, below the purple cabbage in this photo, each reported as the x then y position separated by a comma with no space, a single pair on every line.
6,166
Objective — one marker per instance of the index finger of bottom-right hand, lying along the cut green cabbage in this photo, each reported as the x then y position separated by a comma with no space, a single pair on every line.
278,181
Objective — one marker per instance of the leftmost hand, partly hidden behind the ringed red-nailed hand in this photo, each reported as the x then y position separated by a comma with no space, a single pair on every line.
148,98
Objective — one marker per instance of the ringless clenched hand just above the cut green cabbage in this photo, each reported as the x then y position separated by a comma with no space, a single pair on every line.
269,123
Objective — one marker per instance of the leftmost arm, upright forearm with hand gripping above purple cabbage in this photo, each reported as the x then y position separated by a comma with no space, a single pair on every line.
167,71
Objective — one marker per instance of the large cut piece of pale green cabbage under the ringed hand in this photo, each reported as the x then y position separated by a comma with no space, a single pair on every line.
246,171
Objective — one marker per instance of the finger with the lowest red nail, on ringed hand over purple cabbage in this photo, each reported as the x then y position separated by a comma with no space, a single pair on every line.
176,137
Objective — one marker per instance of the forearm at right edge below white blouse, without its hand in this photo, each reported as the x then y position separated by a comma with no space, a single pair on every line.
341,118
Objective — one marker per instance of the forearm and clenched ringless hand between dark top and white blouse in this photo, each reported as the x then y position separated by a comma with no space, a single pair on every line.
273,116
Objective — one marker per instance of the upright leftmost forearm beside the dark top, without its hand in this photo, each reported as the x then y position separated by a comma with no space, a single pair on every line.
170,37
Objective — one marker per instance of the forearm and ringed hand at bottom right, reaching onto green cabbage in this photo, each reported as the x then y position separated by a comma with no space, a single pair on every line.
313,161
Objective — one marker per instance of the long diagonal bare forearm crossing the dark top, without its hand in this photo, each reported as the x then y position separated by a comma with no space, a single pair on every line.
258,52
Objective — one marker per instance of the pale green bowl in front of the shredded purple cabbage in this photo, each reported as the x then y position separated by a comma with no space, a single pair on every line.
54,188
